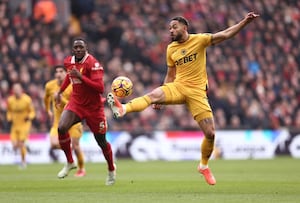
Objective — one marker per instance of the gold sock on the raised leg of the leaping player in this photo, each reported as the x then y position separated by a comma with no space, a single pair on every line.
138,104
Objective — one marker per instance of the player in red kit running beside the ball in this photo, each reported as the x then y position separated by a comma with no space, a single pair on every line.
85,74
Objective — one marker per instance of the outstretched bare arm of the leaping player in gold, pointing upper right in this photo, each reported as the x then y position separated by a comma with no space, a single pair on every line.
233,30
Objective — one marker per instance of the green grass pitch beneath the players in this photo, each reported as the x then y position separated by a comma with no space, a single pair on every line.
244,181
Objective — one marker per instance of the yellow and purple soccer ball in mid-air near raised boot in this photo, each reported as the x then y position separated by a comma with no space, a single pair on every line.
121,86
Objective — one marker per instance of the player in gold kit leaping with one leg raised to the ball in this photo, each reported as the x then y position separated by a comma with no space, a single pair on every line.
186,82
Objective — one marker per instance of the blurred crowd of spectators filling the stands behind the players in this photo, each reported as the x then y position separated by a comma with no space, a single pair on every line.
253,78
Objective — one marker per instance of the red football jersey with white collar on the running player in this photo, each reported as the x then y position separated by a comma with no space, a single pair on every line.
86,92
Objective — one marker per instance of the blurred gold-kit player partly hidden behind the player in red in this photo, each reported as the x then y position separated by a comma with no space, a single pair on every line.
54,112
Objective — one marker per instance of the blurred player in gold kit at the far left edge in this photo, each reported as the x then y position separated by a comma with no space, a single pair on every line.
20,113
